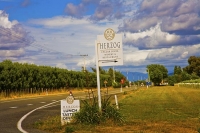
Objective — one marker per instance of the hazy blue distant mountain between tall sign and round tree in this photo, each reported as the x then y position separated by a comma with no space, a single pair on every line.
134,76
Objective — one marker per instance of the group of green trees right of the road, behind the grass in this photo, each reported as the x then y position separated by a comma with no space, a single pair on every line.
158,73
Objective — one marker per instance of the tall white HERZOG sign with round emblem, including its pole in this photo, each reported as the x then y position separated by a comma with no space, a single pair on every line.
109,52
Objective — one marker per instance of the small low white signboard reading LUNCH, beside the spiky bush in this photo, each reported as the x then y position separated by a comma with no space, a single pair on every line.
68,108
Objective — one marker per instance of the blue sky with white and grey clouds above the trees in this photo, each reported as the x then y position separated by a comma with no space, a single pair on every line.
60,32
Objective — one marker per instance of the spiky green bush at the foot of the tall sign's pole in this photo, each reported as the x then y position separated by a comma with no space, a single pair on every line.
90,113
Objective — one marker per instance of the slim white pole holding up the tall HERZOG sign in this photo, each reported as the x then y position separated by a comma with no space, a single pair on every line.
98,79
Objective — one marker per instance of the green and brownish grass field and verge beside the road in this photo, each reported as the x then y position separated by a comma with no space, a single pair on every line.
163,109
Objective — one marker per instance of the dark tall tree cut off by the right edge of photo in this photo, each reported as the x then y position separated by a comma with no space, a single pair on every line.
194,65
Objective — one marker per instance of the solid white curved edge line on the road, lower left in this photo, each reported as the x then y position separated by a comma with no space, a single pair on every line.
19,123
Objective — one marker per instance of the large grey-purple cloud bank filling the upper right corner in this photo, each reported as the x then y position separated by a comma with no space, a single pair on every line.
177,16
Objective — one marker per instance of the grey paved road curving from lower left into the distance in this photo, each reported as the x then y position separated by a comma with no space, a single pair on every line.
11,111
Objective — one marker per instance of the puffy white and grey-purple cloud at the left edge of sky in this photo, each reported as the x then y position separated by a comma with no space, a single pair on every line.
13,37
